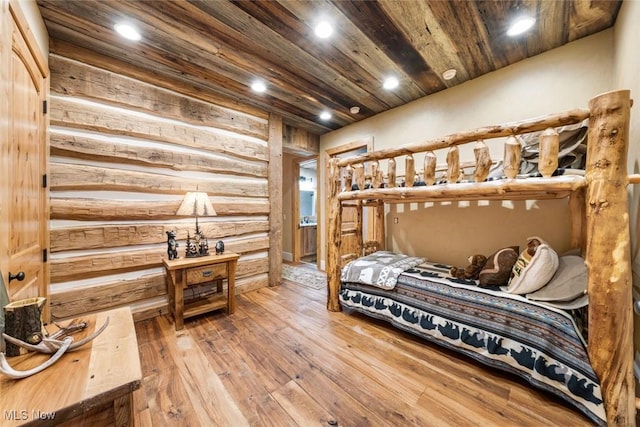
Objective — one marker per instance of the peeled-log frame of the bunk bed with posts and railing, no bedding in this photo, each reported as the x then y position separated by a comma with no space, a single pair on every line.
598,203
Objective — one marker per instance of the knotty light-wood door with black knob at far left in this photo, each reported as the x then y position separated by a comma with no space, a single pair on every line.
24,218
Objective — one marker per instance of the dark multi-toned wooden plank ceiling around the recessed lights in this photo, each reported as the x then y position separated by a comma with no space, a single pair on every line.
214,50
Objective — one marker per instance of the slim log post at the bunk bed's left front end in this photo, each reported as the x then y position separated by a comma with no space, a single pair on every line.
334,237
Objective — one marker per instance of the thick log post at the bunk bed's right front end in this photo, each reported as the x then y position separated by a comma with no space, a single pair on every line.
608,254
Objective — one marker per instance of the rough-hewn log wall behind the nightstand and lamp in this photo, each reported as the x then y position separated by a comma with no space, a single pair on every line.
123,154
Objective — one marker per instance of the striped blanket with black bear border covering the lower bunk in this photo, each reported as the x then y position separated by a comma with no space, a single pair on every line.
539,343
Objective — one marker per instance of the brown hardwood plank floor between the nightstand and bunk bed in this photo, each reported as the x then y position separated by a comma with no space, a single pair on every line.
283,360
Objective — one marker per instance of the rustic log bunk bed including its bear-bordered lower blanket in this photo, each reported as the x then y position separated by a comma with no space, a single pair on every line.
598,204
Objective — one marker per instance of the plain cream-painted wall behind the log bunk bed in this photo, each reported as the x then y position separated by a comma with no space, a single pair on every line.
558,80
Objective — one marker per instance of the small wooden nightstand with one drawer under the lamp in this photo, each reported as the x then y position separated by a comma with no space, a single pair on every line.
185,272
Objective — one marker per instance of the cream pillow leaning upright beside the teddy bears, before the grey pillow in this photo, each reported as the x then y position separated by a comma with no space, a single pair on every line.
531,273
